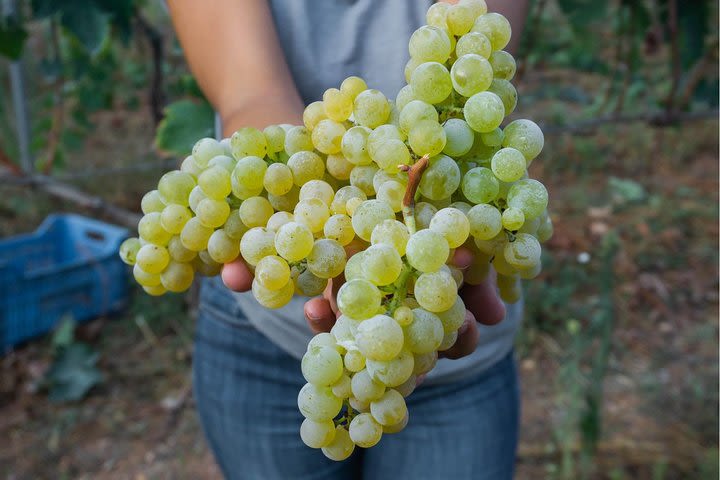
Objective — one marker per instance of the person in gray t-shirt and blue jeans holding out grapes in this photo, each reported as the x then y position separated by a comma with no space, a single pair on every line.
259,62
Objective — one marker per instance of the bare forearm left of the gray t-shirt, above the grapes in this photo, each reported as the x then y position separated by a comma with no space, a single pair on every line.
233,51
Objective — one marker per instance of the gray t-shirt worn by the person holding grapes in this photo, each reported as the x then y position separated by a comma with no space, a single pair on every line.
324,42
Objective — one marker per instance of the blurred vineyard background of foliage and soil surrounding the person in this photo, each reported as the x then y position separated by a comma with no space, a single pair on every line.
618,355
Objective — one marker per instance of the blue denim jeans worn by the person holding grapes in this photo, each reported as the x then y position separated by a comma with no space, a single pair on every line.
246,390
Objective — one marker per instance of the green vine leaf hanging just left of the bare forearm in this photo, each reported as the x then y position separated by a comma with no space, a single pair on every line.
185,123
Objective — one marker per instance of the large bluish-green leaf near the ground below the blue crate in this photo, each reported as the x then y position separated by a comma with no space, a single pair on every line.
73,373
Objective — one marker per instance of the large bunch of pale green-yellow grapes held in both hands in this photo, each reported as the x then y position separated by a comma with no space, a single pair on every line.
379,192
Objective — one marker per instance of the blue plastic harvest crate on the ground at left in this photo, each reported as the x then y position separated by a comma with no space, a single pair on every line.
69,265
